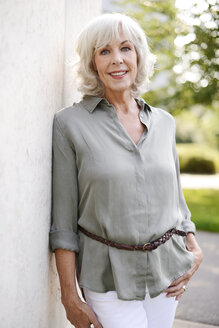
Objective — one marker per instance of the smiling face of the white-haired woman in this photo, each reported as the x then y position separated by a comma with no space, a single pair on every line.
116,65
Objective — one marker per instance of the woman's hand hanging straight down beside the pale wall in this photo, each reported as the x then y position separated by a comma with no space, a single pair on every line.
79,313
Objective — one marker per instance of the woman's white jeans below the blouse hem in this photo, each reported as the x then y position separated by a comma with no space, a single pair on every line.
115,313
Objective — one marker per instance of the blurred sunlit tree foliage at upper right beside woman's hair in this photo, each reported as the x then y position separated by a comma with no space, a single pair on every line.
185,43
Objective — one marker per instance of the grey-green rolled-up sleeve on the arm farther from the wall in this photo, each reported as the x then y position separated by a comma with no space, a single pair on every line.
186,224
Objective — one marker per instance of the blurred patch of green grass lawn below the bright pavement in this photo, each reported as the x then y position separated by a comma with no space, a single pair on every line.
204,207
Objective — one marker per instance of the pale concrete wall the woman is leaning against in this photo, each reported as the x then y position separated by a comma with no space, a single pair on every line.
36,39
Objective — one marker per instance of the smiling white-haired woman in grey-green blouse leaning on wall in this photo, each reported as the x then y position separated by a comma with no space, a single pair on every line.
119,218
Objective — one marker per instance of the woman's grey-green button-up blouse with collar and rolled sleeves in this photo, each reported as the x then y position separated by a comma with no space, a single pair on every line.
121,191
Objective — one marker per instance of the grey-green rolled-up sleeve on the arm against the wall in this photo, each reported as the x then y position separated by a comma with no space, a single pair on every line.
63,232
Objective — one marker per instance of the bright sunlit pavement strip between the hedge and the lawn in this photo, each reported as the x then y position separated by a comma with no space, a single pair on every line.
197,181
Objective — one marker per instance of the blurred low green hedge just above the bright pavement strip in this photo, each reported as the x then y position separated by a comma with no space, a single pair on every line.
198,159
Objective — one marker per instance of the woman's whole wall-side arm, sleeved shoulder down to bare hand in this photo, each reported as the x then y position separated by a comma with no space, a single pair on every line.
64,239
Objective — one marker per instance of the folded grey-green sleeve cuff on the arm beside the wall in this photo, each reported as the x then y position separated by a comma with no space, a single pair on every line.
68,240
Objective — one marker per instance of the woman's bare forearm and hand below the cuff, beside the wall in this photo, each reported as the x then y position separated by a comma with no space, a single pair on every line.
77,312
